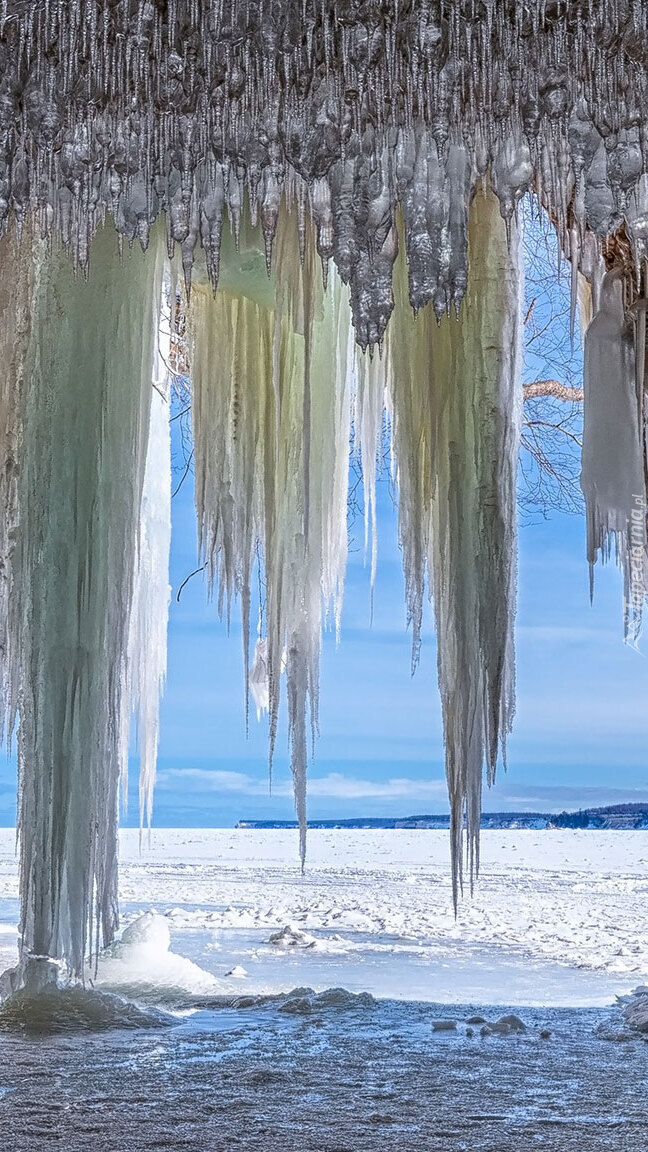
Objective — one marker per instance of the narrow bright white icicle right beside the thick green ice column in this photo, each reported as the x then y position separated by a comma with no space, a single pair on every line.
149,617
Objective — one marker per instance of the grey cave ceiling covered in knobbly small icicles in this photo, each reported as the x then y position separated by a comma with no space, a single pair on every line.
349,109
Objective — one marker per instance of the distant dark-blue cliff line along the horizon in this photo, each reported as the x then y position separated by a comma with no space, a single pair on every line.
616,816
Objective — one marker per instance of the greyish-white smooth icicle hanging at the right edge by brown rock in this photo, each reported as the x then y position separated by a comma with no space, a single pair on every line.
613,457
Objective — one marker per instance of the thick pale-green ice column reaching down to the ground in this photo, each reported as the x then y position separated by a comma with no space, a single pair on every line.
86,415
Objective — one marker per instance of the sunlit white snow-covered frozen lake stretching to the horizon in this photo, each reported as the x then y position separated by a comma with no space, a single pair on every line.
557,918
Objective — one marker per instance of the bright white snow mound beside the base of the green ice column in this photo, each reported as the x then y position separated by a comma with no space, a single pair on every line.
142,967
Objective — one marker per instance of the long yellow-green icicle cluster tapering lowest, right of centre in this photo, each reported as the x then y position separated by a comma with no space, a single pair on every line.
457,401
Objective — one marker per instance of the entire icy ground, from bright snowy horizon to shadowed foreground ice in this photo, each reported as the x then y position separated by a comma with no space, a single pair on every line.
257,1056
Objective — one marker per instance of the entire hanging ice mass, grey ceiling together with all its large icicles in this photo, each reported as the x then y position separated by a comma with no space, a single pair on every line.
328,165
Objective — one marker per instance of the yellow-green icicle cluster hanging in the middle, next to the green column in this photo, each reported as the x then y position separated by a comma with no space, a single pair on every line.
272,375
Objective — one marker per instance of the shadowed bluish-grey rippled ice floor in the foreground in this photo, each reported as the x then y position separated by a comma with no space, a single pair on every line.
358,1080
